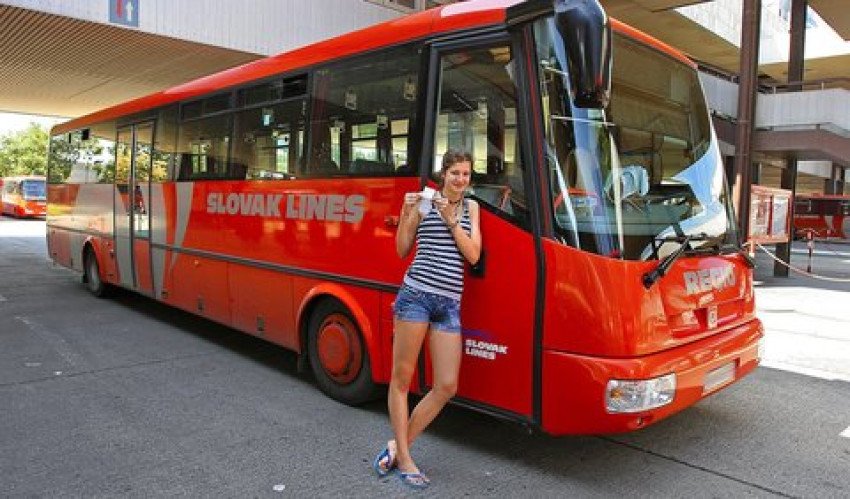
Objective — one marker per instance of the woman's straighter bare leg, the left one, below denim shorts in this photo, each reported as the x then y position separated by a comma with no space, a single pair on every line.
407,342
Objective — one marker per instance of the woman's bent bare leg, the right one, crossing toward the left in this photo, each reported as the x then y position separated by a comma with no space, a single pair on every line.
446,349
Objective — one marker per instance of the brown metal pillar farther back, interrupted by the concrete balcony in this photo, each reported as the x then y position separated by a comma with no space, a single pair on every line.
796,59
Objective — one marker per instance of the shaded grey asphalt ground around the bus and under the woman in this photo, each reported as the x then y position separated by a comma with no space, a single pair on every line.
125,397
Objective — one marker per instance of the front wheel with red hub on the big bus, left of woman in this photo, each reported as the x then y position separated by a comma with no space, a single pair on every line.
338,356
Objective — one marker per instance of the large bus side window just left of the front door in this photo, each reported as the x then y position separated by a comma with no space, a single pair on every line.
363,111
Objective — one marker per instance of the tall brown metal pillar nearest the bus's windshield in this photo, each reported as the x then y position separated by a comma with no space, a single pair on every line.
751,26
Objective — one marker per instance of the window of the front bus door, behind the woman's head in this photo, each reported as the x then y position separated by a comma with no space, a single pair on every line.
477,113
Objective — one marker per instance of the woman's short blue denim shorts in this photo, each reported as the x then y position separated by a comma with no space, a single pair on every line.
442,312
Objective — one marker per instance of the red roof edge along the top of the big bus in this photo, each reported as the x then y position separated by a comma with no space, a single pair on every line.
458,16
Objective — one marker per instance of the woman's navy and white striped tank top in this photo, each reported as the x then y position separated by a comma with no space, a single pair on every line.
438,265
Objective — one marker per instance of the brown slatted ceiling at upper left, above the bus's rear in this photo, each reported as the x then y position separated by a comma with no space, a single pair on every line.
54,65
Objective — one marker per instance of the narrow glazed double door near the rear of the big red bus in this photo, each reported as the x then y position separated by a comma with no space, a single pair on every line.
132,206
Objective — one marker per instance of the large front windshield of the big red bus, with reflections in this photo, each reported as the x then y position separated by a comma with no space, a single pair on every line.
632,180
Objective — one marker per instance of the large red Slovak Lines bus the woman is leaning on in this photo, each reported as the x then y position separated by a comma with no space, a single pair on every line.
266,197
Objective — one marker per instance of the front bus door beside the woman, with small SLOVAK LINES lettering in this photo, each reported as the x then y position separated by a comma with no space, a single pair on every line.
477,106
